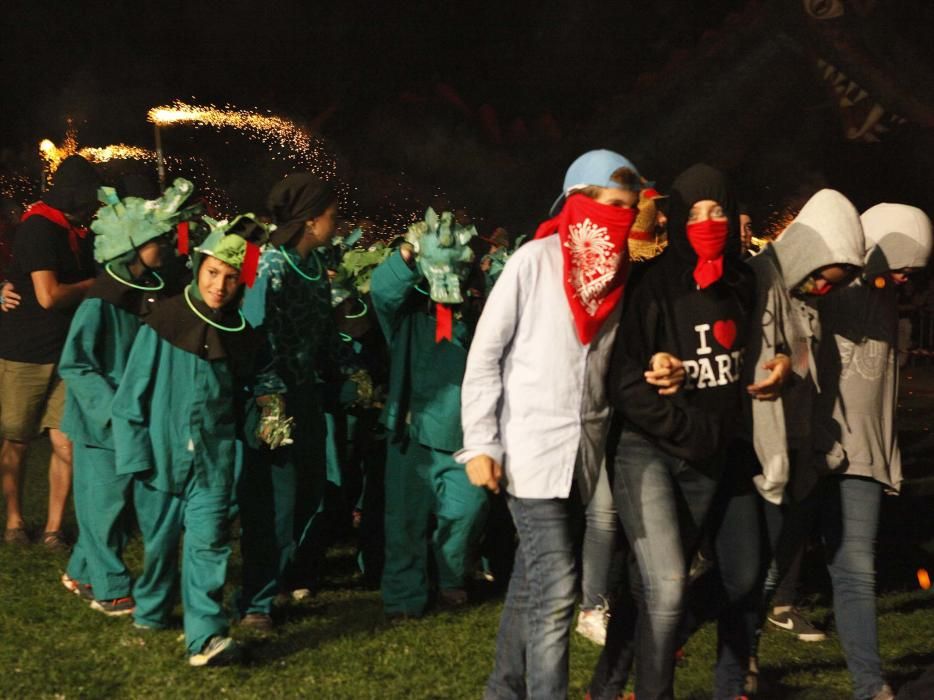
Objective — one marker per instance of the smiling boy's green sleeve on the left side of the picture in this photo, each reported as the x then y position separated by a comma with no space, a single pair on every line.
132,405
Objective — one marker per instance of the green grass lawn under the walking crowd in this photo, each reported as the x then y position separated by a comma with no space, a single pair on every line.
338,646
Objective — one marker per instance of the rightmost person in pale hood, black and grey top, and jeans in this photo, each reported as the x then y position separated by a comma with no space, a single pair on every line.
859,381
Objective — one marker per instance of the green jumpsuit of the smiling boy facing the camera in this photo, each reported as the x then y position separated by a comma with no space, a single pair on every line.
174,428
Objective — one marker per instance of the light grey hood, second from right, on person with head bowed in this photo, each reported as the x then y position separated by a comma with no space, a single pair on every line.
827,231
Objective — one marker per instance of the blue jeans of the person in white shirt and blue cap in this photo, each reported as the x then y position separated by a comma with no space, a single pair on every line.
532,643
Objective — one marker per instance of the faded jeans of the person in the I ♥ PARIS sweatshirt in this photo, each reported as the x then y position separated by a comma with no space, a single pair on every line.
662,503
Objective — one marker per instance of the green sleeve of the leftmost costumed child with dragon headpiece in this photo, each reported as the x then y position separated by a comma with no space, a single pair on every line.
82,367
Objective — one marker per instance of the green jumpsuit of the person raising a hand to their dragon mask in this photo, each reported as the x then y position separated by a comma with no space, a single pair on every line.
422,415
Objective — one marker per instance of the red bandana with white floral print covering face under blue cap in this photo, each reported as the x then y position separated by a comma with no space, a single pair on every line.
593,245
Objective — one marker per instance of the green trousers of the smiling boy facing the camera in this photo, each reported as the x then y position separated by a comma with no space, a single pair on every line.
203,515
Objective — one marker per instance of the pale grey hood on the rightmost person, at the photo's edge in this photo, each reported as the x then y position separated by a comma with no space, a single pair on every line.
897,236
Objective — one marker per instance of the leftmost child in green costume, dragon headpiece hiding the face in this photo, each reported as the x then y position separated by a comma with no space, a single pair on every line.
133,237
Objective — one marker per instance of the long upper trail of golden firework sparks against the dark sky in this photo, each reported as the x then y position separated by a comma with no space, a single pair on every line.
290,139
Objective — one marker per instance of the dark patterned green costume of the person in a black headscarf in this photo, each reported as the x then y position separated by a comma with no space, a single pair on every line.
281,492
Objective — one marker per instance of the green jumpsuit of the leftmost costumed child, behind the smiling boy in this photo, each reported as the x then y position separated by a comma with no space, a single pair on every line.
92,364
